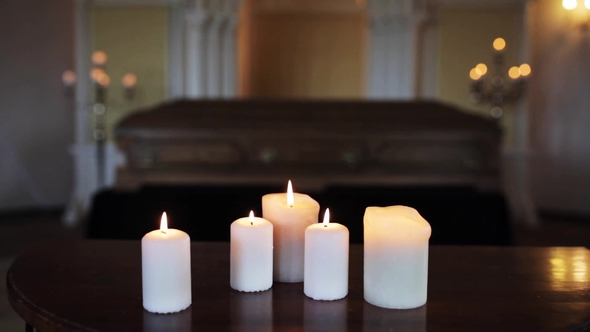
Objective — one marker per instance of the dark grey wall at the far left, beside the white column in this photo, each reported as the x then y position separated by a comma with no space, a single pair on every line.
37,40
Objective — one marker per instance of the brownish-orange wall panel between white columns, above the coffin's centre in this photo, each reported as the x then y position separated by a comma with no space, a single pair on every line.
309,55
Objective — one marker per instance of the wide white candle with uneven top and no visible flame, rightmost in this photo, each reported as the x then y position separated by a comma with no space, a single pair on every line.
396,257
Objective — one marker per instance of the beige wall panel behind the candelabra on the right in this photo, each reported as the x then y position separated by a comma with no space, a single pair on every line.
465,39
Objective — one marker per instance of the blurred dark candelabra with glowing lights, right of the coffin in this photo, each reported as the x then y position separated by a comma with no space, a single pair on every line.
497,90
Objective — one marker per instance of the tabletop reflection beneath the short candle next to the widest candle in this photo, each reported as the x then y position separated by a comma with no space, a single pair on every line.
325,315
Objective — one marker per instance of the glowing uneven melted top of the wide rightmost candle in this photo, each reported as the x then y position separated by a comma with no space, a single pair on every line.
399,222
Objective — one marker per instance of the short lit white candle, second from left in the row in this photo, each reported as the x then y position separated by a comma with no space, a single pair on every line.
251,254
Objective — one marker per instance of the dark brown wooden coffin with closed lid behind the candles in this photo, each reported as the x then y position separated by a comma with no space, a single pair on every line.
314,143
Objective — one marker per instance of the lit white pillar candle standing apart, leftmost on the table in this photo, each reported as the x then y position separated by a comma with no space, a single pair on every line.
166,269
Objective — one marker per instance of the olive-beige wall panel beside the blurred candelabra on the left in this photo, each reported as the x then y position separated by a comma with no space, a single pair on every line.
135,39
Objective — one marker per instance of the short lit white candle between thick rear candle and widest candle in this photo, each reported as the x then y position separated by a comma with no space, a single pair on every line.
326,260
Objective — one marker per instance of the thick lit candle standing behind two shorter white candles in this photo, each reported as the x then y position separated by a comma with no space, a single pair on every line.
290,214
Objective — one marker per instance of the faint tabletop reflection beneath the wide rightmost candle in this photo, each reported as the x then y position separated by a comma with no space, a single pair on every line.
381,319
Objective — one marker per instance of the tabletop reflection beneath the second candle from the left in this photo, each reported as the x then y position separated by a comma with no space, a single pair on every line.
251,311
